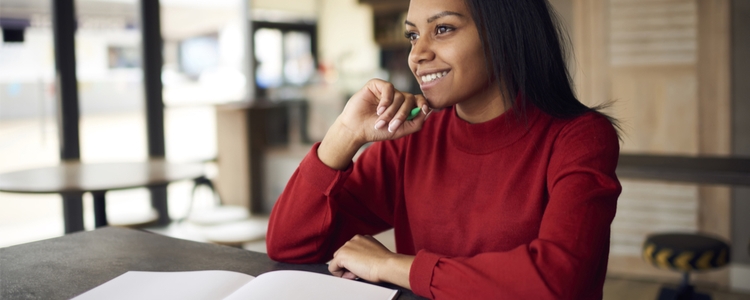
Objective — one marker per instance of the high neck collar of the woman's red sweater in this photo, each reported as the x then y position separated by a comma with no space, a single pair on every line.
486,137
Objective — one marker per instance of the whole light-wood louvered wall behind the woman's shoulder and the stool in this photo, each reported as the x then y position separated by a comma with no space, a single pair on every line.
665,64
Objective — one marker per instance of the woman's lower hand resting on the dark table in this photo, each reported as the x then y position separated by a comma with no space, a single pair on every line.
366,258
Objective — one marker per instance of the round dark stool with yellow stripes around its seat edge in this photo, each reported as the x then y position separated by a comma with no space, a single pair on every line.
684,253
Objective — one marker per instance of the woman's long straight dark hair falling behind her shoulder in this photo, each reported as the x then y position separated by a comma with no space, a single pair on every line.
525,45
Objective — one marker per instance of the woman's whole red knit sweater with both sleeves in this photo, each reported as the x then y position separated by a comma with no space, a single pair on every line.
506,209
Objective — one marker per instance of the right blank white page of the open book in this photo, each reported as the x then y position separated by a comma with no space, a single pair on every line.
293,285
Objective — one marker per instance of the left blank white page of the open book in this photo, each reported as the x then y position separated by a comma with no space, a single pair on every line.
198,285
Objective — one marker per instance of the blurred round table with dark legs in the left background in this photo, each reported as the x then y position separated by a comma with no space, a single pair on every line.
72,179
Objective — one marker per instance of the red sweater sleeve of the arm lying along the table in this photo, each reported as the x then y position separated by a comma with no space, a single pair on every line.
568,260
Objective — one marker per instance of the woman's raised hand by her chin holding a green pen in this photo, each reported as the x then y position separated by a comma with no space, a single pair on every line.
377,112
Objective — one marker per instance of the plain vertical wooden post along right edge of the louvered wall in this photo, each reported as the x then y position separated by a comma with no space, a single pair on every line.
715,122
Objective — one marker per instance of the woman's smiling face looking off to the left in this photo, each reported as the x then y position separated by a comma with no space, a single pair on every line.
446,55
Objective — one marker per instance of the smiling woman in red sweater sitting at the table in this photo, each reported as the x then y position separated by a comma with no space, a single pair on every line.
507,191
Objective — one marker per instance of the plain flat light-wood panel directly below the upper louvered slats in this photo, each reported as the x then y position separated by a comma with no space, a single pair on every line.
659,108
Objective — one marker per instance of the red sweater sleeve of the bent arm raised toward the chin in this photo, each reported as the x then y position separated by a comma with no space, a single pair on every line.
322,208
